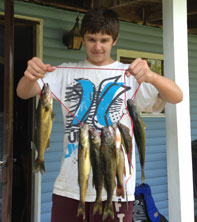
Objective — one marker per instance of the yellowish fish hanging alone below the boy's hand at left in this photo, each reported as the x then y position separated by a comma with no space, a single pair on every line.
43,127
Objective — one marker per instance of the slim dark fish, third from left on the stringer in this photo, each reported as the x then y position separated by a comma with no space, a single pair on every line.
98,177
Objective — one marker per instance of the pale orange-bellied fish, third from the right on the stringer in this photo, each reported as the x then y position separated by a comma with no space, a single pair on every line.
120,169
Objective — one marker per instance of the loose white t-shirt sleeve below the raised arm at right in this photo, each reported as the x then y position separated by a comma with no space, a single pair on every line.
147,99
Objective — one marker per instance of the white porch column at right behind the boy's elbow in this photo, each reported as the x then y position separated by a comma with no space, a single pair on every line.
178,133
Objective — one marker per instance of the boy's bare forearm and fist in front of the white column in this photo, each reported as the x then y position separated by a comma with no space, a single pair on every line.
168,90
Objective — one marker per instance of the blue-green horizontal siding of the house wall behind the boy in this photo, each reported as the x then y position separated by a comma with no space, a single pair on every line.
132,37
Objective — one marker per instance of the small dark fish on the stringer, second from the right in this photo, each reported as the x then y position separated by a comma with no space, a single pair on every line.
126,141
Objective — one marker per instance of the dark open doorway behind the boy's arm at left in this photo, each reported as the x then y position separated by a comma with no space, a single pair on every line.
24,49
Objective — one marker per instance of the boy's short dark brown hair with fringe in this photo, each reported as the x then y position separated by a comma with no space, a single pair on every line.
100,20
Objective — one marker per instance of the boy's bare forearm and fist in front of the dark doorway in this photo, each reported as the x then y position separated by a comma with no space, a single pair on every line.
28,86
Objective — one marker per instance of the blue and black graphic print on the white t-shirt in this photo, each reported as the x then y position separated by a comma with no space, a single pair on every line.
98,106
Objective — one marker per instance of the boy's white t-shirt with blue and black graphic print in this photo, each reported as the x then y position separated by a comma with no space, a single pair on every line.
95,95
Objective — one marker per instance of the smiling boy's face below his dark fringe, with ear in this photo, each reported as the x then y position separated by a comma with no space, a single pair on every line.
98,48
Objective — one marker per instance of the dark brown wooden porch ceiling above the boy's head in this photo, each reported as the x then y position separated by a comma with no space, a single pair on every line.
146,12
